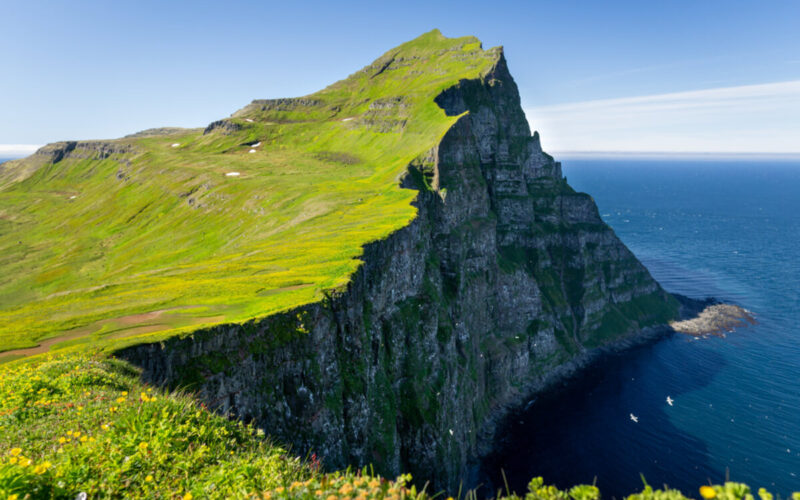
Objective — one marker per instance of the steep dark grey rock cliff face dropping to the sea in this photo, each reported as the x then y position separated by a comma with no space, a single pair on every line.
505,279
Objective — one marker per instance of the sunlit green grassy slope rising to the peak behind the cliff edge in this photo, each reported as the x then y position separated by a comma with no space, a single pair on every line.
162,232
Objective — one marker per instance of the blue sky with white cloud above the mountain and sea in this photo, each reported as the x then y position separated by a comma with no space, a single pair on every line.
678,76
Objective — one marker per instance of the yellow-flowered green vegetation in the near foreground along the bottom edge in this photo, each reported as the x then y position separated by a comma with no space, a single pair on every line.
77,423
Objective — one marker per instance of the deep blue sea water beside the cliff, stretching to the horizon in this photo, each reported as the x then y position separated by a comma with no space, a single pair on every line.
730,229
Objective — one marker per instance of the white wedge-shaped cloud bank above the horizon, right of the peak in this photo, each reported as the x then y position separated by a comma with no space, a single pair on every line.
749,118
